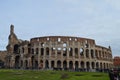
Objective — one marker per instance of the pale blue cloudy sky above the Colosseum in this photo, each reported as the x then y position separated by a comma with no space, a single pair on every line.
96,19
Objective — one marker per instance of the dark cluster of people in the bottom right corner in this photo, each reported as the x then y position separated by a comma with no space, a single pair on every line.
114,74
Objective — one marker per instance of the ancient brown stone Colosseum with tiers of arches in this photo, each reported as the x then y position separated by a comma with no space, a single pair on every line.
57,52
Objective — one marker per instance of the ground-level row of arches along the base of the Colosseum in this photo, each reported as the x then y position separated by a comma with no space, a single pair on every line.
59,64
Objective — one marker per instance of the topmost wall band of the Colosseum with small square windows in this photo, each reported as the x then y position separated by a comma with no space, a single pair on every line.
64,39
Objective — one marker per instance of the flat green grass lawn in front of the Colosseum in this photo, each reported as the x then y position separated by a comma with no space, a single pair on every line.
50,75
